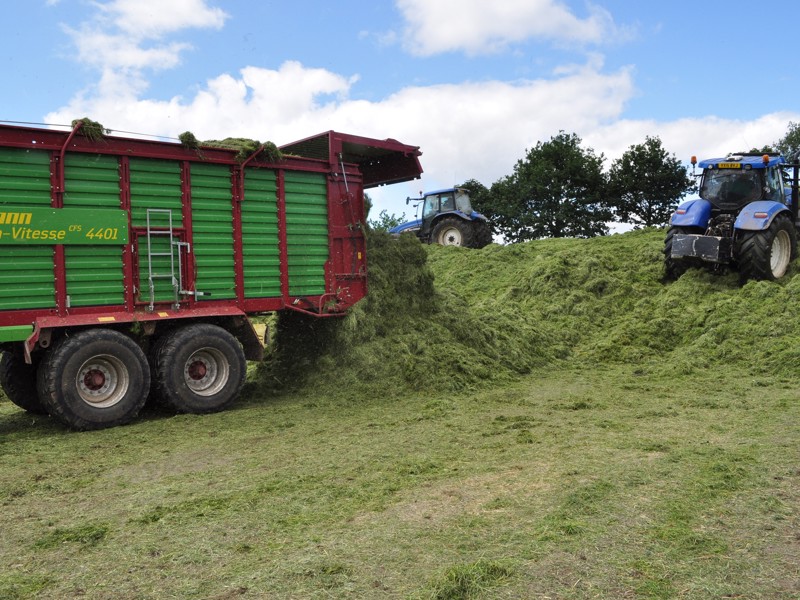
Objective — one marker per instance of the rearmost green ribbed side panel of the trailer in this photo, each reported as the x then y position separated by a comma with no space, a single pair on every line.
306,232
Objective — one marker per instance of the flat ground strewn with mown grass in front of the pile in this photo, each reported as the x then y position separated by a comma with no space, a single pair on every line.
569,484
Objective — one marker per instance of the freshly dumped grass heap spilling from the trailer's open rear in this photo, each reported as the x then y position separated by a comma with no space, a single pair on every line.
406,335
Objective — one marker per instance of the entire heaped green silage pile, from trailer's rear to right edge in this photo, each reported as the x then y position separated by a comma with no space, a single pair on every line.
450,319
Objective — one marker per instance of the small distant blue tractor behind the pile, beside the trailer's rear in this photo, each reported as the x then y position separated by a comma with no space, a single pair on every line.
448,220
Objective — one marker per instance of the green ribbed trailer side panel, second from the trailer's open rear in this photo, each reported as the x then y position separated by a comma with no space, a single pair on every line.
262,275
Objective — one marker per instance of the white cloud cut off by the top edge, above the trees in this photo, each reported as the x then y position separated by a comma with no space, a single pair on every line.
481,27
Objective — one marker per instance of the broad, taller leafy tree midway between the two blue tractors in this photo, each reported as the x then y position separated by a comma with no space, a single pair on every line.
557,190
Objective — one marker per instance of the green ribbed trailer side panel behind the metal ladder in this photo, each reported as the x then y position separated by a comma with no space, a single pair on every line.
156,184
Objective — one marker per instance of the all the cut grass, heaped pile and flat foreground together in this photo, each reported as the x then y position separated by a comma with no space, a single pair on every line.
545,421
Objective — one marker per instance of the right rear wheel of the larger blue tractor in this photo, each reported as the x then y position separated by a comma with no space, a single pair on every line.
766,254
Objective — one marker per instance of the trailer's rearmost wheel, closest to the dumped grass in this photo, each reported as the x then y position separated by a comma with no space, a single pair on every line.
198,368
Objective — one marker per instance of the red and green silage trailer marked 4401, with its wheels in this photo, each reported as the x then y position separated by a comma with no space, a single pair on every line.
130,267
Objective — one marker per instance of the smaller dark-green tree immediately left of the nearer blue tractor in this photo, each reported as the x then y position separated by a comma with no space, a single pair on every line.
644,185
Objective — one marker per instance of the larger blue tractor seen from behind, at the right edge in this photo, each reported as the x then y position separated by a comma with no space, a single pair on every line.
746,218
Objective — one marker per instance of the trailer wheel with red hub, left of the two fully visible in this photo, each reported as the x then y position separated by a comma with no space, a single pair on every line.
94,379
